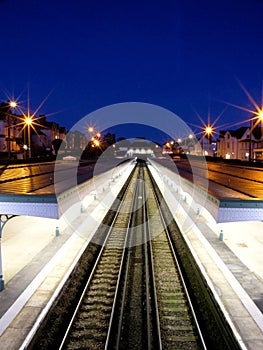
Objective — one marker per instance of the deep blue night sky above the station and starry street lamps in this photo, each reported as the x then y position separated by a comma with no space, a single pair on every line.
185,56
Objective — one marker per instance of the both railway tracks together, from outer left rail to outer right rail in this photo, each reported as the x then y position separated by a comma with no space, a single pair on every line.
135,297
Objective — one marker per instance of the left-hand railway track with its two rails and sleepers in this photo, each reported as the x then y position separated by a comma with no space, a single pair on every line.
89,325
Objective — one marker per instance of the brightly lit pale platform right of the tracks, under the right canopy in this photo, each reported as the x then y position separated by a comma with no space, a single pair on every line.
229,255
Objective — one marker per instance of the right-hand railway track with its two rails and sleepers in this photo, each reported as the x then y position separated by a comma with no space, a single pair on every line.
179,326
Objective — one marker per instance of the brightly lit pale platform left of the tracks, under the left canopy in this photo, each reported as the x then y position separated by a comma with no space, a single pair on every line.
38,258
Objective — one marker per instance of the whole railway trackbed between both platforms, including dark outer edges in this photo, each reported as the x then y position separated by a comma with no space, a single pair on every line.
141,290
